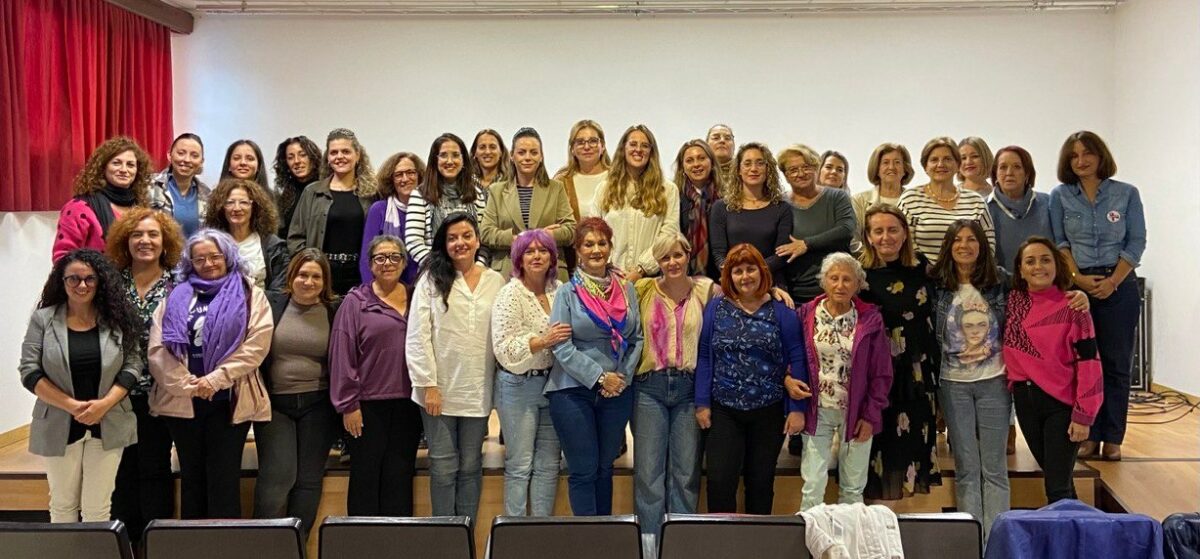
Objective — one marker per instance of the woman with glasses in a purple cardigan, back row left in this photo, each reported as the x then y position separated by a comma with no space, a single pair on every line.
398,178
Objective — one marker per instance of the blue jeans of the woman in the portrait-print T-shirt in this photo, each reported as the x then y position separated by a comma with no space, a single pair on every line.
981,465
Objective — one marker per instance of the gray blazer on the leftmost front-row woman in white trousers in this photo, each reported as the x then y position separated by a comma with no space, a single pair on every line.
45,351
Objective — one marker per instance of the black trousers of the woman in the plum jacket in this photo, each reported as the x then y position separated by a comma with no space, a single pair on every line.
385,459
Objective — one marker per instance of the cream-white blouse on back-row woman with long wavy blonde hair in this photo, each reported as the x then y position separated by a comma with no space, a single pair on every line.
633,232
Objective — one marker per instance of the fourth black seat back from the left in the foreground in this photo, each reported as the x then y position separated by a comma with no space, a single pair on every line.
575,538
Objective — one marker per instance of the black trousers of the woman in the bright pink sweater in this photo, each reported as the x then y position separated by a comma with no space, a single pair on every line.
1045,422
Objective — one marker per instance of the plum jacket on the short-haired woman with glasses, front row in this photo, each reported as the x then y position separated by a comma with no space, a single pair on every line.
367,352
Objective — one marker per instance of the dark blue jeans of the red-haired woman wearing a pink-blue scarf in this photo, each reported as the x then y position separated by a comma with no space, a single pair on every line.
591,430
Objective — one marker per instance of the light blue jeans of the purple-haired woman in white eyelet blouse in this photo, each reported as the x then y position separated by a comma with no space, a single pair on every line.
531,446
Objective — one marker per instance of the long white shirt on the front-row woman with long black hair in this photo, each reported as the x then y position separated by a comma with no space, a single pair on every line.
448,346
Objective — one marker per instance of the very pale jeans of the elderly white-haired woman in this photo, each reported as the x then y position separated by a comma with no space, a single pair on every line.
854,460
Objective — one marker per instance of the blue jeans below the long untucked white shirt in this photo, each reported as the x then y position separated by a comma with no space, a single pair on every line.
457,464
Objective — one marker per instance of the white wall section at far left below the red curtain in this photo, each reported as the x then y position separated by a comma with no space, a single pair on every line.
26,241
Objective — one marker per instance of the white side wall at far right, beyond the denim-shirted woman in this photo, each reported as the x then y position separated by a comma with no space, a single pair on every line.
1156,140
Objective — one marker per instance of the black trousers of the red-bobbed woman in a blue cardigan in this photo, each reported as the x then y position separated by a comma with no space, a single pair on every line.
743,444
